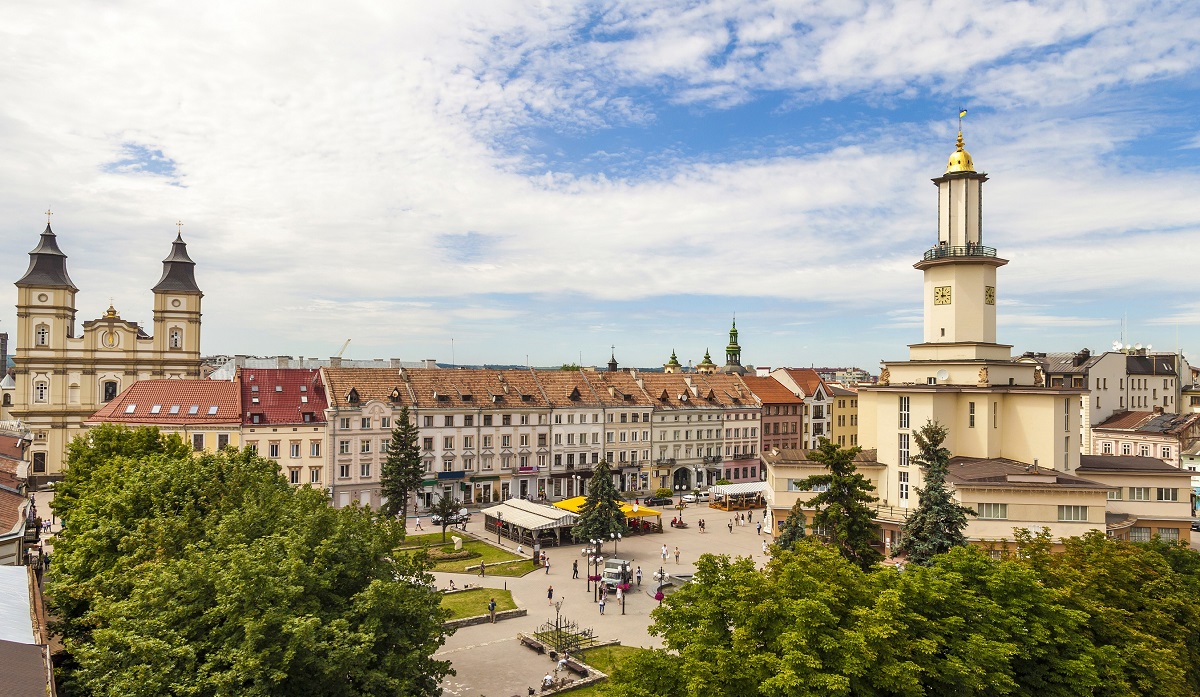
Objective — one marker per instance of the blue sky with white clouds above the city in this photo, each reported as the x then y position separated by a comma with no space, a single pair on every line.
500,182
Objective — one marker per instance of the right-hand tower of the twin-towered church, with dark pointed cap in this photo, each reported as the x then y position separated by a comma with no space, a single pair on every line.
177,304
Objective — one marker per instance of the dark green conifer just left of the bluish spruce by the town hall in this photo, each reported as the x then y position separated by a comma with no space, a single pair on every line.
843,504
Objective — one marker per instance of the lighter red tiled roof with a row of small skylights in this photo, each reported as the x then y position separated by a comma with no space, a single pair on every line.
173,402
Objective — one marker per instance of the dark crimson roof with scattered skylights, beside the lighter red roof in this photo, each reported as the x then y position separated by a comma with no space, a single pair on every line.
283,395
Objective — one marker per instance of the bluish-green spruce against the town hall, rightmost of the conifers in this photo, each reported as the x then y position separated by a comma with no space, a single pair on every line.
939,522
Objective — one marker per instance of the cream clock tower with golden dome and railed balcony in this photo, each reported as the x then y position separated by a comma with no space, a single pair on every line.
961,272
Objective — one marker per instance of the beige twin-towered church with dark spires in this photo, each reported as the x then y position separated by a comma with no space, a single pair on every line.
67,372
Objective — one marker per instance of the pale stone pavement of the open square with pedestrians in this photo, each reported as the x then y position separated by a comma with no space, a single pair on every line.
488,658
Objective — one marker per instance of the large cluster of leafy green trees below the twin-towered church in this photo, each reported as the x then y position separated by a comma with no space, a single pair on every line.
209,575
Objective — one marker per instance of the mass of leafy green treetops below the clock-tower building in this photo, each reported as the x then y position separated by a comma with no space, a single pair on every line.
1106,618
